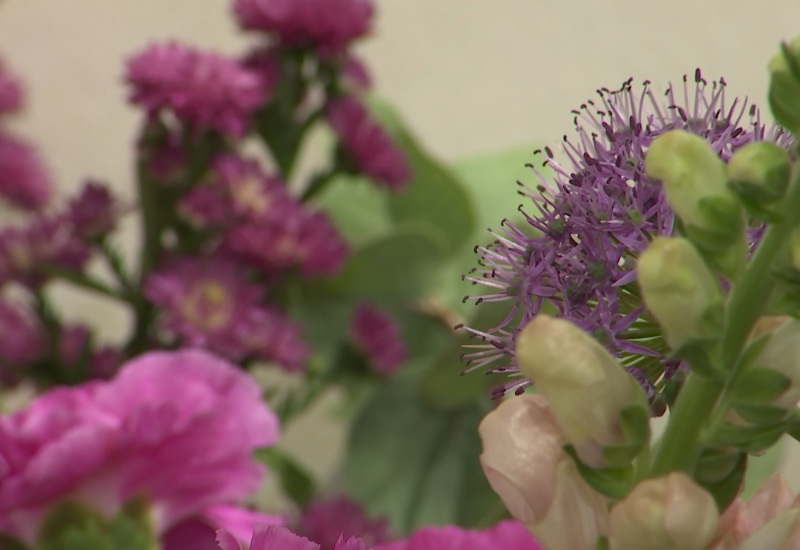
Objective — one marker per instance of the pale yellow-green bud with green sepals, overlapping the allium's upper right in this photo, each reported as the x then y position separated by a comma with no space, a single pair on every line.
696,187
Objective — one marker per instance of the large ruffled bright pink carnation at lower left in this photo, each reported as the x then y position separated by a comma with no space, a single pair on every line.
178,427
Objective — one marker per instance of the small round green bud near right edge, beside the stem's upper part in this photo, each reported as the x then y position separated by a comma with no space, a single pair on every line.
760,172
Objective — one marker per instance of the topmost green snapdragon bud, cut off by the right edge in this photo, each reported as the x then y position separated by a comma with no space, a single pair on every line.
784,86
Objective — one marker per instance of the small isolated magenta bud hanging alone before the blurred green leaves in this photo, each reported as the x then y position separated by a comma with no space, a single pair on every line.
377,336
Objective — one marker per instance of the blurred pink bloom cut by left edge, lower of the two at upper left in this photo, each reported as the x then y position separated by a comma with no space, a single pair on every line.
24,181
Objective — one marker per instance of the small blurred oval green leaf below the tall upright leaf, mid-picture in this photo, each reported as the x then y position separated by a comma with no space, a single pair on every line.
399,265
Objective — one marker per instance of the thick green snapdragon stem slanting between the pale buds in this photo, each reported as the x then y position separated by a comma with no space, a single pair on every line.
679,446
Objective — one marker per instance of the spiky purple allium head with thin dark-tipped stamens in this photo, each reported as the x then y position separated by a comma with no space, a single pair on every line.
578,248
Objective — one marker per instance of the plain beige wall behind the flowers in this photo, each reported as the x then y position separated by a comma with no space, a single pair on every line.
469,76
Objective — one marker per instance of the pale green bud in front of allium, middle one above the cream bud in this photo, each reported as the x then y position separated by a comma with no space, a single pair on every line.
680,291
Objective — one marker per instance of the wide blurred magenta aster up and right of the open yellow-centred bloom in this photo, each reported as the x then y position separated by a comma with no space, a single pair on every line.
299,239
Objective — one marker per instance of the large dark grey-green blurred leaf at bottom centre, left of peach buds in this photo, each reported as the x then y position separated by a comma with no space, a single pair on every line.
418,464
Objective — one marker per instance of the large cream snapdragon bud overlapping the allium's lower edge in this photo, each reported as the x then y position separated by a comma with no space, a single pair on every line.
586,387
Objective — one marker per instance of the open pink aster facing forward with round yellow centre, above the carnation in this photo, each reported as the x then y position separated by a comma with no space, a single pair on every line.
204,302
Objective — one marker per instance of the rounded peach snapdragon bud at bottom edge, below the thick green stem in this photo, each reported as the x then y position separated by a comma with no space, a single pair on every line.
668,513
